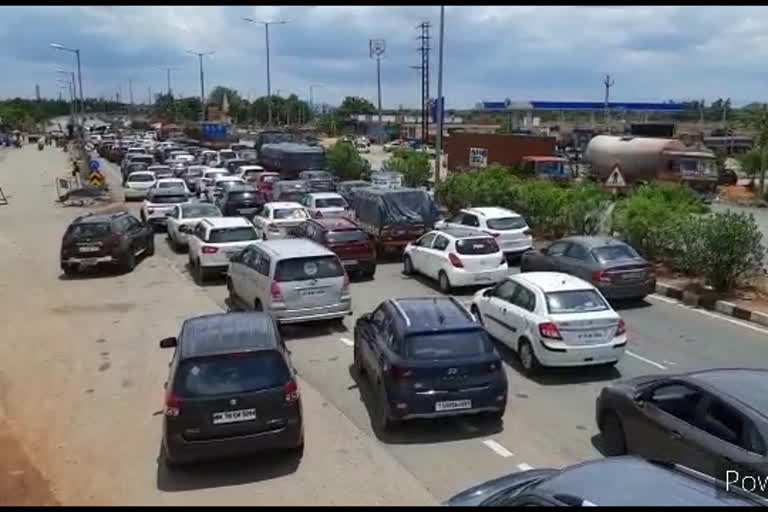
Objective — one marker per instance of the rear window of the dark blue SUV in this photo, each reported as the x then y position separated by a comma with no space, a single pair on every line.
447,345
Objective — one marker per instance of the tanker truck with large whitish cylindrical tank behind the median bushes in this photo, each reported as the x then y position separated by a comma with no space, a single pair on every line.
623,162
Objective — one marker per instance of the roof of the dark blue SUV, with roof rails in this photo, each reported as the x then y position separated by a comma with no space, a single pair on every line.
433,313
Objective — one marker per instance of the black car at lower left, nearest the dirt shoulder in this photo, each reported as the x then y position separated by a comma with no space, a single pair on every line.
231,390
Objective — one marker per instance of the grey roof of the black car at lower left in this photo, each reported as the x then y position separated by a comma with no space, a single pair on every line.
226,333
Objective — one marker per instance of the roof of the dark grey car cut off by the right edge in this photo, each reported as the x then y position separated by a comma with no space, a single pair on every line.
747,385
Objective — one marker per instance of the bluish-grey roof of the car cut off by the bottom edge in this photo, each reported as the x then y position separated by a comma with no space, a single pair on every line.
632,481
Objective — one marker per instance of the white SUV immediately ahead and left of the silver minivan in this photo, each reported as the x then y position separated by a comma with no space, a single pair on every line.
214,240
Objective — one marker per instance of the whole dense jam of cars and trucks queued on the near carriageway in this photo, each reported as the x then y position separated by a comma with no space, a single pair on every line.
271,223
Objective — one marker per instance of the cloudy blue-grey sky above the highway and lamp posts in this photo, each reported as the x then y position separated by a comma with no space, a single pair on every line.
491,53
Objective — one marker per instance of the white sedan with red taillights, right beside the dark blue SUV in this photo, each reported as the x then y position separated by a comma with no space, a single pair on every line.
552,319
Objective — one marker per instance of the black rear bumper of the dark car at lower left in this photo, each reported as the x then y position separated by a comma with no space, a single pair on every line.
179,449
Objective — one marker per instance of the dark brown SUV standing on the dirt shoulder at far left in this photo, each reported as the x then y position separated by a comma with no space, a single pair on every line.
114,239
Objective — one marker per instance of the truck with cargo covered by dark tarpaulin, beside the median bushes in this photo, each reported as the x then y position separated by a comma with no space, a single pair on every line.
394,217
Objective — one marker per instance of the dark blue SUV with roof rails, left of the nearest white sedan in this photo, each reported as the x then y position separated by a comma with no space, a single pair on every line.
428,357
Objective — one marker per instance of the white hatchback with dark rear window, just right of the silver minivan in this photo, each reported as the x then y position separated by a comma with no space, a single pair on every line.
456,257
